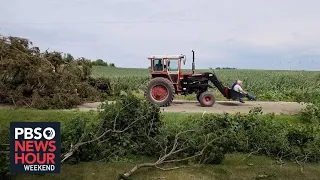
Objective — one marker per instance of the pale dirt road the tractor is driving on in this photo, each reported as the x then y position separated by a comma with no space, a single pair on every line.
222,107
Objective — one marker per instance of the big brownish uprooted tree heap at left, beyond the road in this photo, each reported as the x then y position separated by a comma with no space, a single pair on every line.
37,79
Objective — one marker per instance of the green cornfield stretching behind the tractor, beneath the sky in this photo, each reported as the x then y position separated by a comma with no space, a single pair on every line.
267,85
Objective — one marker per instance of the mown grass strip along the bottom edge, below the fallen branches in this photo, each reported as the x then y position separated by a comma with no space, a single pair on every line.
234,167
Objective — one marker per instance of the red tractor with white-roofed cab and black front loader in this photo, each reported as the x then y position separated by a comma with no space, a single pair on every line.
167,80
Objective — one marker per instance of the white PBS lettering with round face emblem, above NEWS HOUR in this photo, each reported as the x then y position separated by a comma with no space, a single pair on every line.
47,133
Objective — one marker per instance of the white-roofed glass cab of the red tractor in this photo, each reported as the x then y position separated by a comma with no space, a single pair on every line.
167,66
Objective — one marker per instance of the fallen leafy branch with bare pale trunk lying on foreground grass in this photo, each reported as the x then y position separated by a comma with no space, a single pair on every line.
181,151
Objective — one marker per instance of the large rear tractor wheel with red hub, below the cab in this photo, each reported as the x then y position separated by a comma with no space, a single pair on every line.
160,91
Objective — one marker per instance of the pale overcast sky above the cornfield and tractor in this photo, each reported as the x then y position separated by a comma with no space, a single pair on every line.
255,34
